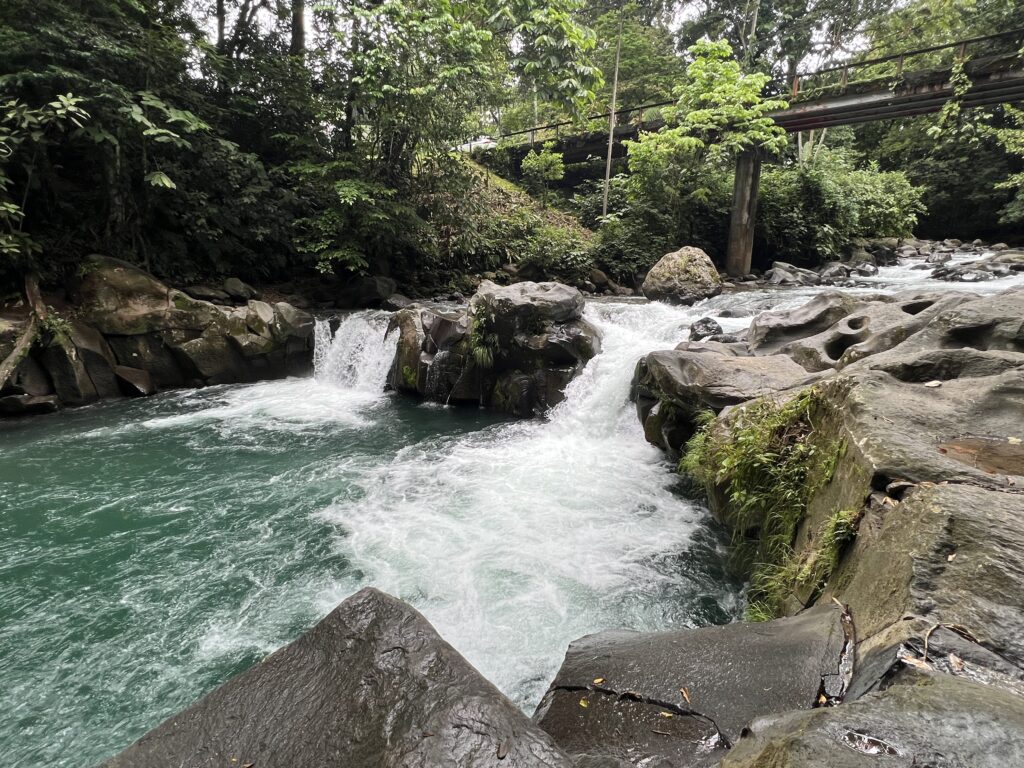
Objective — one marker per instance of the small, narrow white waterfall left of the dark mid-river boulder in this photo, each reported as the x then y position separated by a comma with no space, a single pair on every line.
358,356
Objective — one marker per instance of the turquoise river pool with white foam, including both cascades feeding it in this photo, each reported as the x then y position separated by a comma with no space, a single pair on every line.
151,549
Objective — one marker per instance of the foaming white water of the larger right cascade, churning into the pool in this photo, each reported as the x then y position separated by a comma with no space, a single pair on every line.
519,538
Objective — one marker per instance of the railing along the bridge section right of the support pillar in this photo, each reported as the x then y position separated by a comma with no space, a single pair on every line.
906,68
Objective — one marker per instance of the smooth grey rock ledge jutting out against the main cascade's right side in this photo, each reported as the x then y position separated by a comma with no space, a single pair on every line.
690,382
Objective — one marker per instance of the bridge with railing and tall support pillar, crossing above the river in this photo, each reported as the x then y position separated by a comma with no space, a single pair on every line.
909,84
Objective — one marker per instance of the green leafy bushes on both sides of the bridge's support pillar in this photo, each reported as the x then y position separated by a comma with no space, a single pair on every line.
808,214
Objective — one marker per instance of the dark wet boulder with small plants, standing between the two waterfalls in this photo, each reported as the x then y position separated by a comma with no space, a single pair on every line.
515,349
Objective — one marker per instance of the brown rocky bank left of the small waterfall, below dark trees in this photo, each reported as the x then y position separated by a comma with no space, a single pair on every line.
120,332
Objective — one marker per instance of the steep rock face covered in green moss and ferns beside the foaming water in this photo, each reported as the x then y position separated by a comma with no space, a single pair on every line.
771,470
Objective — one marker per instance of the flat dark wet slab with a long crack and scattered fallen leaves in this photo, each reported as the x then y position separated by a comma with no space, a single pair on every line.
621,695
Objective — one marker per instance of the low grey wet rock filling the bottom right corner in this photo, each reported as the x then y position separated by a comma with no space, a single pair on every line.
920,720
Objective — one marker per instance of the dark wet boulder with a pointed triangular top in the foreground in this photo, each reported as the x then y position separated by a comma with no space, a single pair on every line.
372,685
